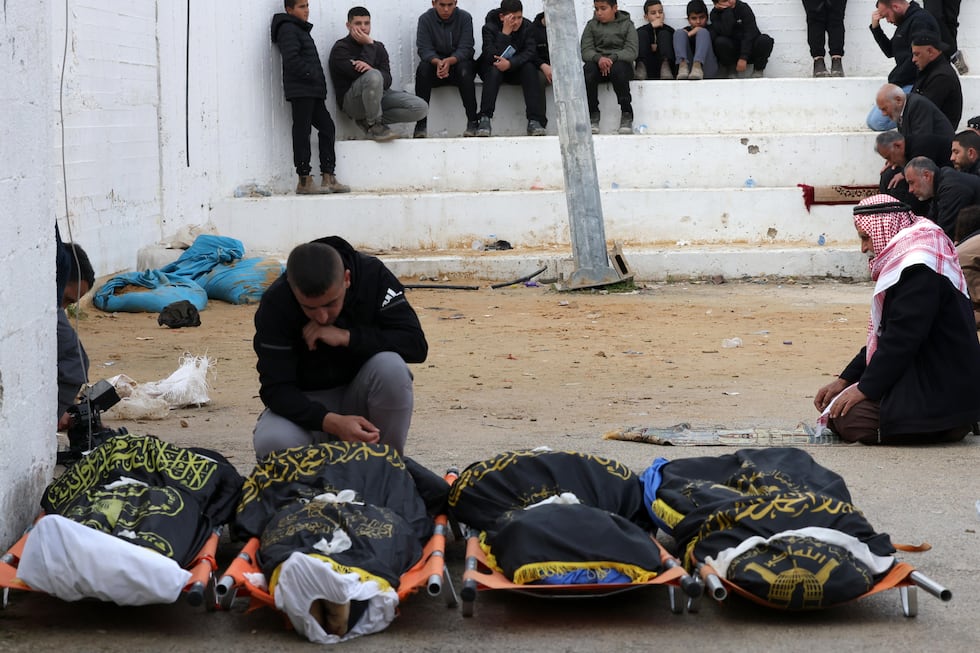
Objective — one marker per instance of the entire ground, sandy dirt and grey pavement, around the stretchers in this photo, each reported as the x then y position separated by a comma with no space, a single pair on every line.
526,366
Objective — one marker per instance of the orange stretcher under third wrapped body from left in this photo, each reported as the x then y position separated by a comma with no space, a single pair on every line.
479,576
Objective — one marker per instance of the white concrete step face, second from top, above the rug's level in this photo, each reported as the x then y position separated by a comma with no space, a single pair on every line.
524,163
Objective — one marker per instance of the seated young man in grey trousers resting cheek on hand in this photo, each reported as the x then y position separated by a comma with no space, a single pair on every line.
361,75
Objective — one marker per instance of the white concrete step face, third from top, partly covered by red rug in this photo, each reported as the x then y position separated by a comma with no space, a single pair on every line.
451,220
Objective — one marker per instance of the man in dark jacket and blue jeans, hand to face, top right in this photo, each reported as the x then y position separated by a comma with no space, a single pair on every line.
909,19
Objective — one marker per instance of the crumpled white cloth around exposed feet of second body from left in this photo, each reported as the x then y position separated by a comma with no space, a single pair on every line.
304,579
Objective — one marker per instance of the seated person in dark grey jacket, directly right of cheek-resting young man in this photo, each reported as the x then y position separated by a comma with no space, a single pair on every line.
444,39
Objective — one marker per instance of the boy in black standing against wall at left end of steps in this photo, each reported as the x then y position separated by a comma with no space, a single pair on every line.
305,87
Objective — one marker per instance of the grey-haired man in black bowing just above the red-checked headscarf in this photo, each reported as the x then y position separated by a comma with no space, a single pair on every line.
950,190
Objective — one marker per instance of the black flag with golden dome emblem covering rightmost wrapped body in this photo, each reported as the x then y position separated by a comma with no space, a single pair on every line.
784,526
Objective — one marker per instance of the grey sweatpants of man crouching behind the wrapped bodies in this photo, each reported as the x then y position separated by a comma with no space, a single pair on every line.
381,392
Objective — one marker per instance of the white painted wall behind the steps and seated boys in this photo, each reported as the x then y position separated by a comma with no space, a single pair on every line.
153,143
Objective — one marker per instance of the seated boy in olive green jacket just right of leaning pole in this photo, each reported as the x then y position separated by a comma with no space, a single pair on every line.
609,48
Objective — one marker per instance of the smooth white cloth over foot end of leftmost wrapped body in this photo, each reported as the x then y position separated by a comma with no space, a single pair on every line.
72,561
